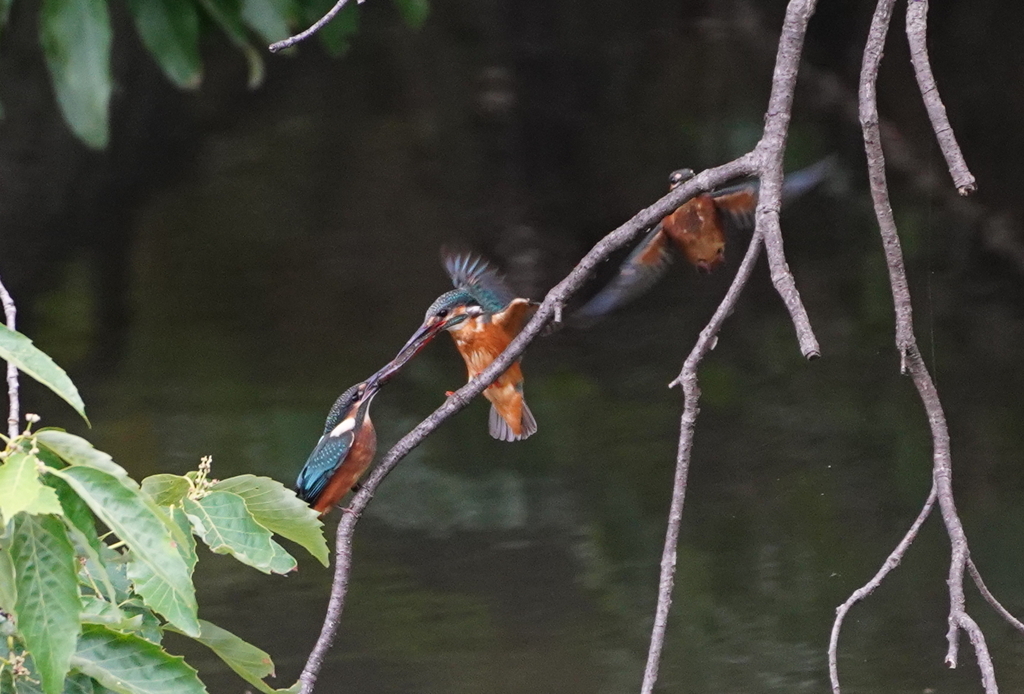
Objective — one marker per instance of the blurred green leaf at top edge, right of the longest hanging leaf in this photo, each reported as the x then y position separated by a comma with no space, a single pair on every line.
170,32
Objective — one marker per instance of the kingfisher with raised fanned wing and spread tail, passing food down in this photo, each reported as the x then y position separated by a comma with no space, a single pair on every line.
484,317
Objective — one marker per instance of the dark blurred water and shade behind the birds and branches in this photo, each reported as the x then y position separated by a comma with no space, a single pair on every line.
235,259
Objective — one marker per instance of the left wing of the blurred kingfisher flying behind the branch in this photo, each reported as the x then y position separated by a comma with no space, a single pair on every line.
638,274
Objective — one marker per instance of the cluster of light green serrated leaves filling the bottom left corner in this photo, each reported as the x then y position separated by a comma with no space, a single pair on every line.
86,613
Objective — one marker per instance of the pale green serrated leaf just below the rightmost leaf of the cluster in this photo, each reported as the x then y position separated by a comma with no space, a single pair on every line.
225,524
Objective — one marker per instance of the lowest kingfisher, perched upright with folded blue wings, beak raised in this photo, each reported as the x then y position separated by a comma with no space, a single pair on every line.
347,449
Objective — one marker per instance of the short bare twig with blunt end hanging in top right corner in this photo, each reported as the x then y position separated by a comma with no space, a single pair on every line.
917,35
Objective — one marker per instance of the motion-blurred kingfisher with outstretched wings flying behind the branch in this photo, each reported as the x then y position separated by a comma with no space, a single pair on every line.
698,229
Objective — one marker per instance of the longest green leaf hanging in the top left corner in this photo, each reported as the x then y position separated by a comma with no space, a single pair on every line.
76,40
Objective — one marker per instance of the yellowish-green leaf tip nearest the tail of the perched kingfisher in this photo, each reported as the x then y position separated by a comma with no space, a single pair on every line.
278,509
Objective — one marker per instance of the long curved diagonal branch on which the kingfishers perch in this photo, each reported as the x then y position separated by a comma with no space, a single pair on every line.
556,299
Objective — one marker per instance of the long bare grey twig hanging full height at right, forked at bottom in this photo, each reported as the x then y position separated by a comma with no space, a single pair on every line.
911,360
